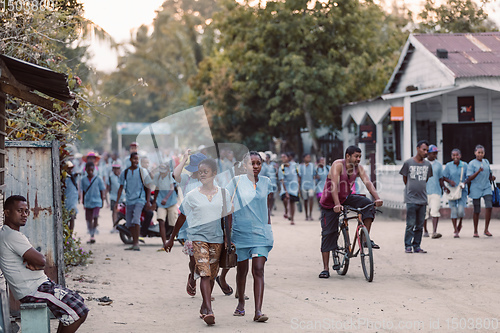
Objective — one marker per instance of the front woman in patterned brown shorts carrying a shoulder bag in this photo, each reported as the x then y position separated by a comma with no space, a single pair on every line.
202,207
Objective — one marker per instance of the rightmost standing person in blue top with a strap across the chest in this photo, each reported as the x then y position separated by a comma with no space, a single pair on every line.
479,177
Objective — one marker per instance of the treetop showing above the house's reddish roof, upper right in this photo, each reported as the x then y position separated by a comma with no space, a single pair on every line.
455,16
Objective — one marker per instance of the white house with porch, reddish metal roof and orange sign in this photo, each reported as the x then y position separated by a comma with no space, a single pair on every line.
445,88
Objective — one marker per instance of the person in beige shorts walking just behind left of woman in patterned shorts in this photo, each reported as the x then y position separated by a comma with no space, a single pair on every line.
165,198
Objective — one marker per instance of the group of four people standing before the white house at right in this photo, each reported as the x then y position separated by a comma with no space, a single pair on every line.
426,182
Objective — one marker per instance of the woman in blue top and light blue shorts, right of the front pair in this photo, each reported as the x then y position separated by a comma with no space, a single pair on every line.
252,234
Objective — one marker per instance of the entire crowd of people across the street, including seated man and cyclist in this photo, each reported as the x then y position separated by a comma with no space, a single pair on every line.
213,184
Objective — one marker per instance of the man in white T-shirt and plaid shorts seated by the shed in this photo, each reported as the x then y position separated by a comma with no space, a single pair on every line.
23,266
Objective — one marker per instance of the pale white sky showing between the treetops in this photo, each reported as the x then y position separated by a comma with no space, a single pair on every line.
120,17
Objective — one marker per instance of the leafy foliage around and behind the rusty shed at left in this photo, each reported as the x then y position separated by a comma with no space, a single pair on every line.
46,37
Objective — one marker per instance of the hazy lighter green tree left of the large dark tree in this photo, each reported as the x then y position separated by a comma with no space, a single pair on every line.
152,80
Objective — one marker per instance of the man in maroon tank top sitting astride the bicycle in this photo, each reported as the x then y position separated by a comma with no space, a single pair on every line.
338,192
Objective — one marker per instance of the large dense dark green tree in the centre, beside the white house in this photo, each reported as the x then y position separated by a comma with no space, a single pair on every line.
290,65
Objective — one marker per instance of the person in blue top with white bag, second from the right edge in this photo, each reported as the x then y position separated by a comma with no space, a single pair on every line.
454,174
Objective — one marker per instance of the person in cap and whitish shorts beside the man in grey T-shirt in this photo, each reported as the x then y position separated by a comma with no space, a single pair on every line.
435,186
